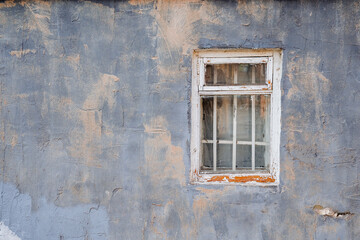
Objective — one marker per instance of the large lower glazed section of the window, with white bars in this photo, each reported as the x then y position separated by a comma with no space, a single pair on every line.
235,143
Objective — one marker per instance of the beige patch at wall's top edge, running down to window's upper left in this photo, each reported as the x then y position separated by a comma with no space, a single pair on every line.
175,22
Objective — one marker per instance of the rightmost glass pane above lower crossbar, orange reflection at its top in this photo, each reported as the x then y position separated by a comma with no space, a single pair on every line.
262,118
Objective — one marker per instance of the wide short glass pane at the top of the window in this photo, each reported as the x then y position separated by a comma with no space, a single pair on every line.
235,74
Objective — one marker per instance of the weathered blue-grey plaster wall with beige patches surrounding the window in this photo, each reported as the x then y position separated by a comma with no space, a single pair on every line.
95,123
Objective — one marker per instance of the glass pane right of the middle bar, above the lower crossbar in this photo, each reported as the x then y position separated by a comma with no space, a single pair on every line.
243,118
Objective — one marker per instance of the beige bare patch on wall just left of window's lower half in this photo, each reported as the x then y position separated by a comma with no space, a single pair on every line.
163,160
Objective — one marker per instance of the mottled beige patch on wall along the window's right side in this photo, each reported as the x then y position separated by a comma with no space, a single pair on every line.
309,86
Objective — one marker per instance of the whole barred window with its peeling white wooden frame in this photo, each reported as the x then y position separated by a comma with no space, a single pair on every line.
235,116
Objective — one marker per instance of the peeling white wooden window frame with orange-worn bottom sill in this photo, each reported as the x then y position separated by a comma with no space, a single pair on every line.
273,59
